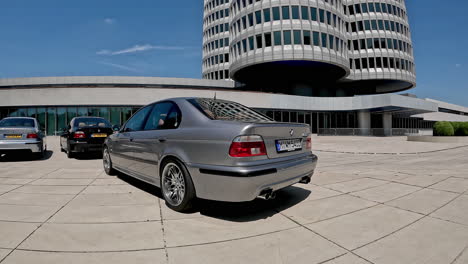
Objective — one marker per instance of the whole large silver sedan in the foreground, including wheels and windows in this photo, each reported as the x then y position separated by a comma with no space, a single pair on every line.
210,149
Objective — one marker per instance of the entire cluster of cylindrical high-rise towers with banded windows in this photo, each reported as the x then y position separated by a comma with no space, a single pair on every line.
310,47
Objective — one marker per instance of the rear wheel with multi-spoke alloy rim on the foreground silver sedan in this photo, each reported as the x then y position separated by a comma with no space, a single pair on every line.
174,172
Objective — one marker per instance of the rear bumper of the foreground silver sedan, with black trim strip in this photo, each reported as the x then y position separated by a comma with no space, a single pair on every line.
241,184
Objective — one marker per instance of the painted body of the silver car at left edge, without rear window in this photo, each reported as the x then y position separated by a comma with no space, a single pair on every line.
15,138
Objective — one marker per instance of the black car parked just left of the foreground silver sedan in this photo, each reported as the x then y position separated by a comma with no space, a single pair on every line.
85,134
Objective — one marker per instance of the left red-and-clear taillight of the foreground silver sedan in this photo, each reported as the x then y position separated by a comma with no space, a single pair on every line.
247,146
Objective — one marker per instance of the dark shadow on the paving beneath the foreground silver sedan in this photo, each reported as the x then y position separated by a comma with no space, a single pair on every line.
235,212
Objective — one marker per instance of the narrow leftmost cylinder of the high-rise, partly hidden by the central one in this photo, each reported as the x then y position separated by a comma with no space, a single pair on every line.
216,39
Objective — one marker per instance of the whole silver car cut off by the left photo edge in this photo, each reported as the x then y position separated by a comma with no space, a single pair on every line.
22,134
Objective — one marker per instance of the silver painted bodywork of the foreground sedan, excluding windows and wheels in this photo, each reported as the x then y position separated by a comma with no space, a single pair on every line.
202,144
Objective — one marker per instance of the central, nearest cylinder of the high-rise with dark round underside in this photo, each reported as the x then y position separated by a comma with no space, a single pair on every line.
290,40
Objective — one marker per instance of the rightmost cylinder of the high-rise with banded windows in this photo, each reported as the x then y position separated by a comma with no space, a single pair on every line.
380,46
